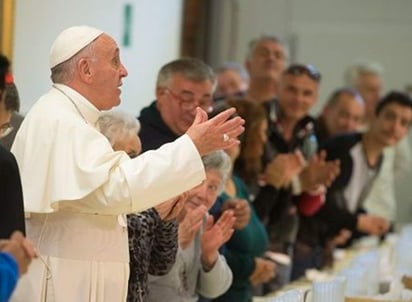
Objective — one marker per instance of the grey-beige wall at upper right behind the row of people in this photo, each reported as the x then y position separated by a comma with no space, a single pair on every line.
331,34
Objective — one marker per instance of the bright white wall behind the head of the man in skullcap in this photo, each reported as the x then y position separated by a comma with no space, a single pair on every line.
156,35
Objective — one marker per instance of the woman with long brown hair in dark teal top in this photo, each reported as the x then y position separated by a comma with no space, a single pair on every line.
245,251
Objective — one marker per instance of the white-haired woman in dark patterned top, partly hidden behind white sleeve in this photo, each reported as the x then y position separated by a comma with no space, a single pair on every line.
152,233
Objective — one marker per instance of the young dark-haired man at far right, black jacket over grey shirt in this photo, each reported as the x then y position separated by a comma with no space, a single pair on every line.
361,155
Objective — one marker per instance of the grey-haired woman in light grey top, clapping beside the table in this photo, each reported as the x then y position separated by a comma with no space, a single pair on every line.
199,268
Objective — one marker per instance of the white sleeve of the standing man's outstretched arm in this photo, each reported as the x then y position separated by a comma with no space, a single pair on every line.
147,180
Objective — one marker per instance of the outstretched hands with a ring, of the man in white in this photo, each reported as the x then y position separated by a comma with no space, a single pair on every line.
220,132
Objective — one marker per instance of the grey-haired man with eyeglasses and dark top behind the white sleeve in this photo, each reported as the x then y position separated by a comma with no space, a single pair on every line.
181,86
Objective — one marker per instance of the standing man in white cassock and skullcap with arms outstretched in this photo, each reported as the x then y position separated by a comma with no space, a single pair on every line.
75,185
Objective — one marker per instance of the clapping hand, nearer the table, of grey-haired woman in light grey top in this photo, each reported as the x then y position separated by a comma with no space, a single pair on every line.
214,236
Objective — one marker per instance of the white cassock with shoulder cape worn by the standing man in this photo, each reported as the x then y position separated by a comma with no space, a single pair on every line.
75,186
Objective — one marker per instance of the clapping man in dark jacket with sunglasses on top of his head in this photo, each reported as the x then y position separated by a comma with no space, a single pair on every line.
291,129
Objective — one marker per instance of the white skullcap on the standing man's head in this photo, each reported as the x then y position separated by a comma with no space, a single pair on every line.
70,42
